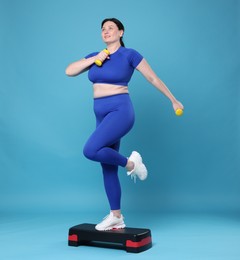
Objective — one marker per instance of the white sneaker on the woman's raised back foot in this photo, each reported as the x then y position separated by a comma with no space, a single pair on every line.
140,169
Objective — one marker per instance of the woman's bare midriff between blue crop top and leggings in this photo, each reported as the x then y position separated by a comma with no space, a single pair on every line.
104,90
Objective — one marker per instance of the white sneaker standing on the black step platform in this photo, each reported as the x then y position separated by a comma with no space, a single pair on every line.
111,222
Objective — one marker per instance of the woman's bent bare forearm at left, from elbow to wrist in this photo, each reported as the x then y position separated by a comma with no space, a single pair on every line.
79,66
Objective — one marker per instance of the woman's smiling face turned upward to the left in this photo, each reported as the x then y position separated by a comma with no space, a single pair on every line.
110,32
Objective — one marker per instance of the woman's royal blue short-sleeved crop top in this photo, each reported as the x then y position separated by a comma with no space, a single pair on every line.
117,70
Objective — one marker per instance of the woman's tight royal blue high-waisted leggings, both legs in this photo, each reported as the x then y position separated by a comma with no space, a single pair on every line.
114,119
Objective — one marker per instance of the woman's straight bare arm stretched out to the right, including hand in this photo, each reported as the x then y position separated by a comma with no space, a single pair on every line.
150,75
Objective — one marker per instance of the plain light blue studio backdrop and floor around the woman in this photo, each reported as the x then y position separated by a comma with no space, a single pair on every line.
46,117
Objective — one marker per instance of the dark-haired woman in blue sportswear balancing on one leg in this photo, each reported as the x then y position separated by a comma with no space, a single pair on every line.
114,112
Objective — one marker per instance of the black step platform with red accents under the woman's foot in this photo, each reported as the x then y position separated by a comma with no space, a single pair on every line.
133,240
